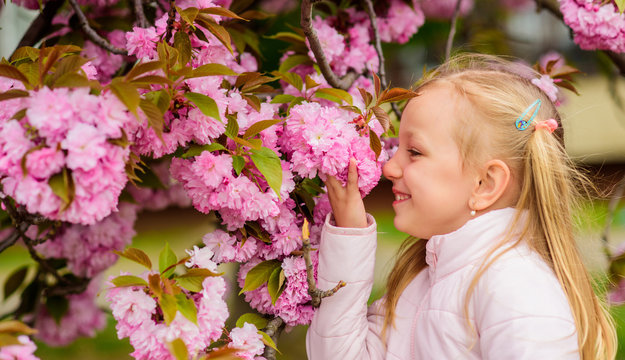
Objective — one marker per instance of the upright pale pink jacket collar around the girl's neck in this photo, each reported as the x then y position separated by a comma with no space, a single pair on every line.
450,252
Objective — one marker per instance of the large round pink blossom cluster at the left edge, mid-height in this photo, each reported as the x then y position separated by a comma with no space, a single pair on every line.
58,160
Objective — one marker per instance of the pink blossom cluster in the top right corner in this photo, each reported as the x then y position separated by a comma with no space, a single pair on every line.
595,26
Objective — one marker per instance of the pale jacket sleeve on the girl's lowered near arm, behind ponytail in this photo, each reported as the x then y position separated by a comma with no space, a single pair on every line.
524,314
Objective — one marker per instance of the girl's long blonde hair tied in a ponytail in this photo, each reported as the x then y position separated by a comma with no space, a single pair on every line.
497,92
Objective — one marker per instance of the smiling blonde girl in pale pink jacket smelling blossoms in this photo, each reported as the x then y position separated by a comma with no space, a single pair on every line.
484,187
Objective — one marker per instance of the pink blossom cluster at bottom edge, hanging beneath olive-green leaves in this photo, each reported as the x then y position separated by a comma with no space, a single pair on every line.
140,319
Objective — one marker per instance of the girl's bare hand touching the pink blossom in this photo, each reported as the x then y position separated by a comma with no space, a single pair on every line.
347,205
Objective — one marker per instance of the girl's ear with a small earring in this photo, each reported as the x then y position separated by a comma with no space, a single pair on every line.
490,187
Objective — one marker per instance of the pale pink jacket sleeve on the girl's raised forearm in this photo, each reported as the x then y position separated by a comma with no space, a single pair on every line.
342,327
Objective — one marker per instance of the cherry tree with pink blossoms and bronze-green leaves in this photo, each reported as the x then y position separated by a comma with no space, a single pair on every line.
111,107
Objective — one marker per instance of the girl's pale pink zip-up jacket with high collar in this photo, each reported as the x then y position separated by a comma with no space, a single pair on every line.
518,309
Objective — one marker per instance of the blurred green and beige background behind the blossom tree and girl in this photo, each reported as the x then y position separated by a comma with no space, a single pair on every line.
594,134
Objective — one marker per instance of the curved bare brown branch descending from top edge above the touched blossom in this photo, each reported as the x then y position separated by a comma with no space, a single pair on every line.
306,23
